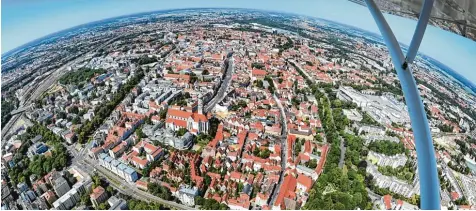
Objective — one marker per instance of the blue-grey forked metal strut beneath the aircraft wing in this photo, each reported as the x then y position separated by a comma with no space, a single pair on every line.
428,174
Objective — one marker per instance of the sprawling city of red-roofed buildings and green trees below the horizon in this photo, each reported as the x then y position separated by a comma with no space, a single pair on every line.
225,109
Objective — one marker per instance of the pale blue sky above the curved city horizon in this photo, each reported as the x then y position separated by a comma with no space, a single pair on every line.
26,20
